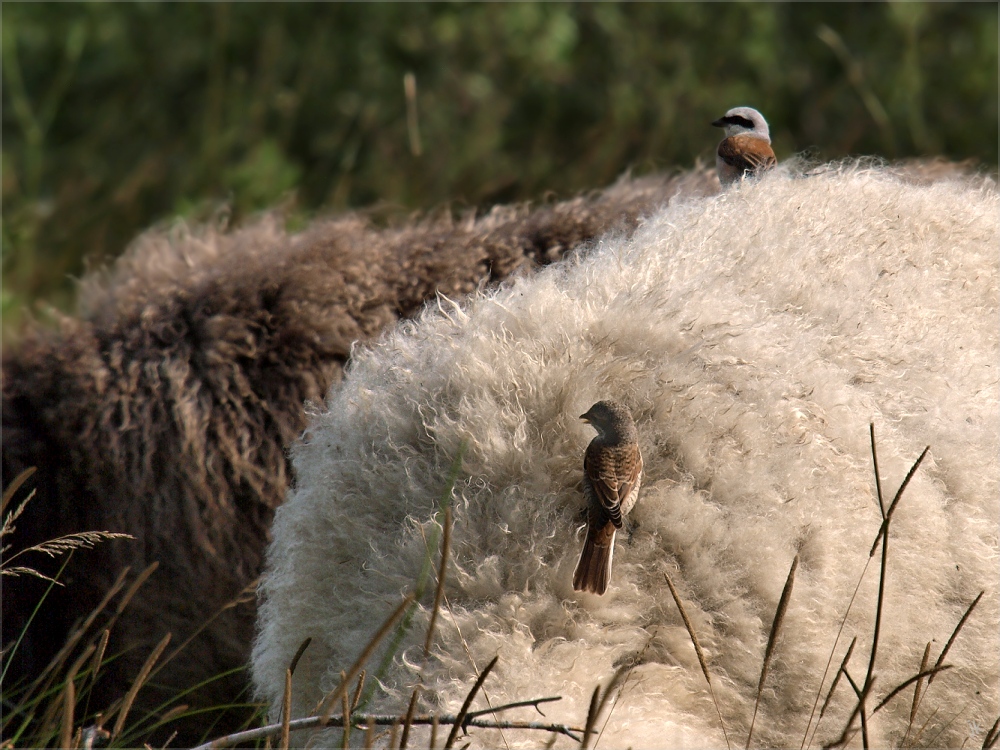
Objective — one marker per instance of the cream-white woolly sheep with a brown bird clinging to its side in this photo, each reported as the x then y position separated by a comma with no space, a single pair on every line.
754,335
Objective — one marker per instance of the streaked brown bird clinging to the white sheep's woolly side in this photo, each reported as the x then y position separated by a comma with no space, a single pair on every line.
612,472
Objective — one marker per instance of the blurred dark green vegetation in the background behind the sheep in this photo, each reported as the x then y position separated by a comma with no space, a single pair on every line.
119,115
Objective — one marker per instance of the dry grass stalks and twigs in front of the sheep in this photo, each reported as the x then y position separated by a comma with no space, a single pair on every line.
54,709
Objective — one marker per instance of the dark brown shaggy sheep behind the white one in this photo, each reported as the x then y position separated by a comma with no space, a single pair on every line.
164,408
